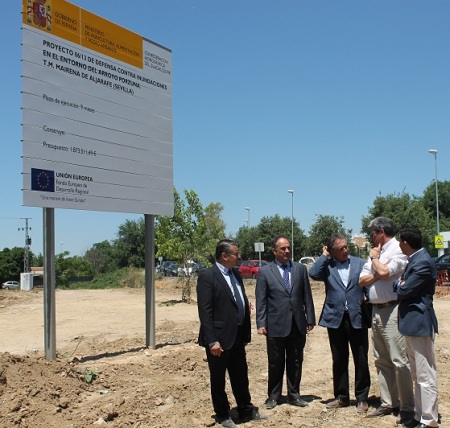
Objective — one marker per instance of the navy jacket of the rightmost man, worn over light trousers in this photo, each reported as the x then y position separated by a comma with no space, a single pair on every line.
416,316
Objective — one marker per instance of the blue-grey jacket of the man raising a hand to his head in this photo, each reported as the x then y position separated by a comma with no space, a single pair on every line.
337,294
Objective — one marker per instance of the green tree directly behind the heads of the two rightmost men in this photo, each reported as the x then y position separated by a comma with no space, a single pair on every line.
404,210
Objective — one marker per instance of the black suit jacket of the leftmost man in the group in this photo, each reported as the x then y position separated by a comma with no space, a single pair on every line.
218,311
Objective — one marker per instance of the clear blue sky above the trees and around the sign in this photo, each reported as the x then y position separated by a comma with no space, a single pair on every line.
338,100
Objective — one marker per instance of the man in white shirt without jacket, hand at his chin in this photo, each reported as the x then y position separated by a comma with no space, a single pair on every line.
386,263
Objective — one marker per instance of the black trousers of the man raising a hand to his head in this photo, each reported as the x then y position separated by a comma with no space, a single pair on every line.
358,338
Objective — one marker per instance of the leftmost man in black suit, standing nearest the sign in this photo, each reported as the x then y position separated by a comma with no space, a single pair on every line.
224,314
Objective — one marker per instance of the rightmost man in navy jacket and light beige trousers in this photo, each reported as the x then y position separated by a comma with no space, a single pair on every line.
418,323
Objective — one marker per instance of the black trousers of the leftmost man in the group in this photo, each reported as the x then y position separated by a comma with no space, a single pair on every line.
234,360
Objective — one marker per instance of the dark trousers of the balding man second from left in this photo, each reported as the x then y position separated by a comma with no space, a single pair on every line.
285,352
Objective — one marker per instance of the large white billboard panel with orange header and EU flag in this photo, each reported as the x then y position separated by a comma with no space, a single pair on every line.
97,113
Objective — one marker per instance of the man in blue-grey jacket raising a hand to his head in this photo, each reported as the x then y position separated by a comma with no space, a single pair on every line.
342,315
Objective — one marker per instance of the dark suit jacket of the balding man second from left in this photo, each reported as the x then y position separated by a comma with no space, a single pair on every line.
276,307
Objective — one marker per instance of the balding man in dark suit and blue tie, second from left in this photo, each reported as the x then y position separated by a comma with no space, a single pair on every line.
284,314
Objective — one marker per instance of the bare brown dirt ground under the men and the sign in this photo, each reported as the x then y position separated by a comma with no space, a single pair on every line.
105,376
